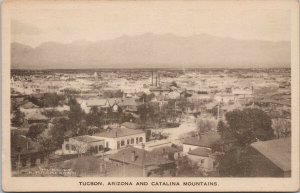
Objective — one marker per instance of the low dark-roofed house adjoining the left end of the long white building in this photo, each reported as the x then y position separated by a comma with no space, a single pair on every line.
82,144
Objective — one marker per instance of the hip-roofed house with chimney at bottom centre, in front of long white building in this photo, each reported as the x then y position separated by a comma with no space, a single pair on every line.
139,162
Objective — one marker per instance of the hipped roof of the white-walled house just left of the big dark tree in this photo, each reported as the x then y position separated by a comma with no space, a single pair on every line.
207,139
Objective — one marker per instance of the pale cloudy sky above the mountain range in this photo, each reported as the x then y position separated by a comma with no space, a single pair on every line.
33,25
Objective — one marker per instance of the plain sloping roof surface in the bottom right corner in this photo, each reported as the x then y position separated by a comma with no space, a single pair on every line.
277,151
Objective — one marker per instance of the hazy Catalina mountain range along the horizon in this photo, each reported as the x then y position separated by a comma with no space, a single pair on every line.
153,51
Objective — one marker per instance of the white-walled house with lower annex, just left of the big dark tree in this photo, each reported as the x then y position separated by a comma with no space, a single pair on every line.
199,150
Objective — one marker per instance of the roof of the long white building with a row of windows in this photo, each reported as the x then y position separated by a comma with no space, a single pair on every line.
118,132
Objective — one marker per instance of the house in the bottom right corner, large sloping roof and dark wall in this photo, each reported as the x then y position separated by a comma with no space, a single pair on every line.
271,158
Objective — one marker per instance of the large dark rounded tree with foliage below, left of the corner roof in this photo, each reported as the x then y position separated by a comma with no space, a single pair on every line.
243,128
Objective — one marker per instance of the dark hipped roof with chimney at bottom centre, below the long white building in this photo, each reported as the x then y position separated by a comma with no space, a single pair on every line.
139,157
